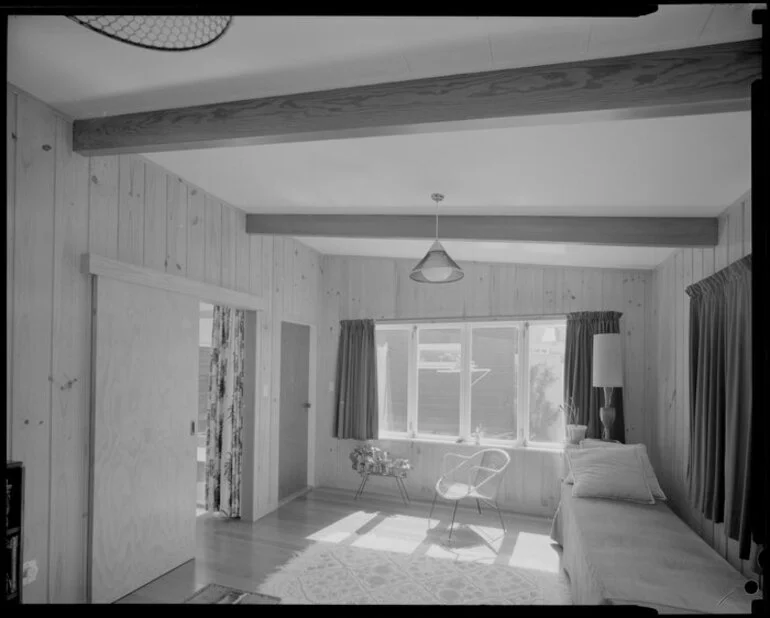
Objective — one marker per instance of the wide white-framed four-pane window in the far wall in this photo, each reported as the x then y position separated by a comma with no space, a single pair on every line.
450,380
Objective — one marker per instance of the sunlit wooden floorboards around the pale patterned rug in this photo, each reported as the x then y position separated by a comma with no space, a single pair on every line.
242,554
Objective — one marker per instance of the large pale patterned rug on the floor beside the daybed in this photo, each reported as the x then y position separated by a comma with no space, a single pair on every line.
328,573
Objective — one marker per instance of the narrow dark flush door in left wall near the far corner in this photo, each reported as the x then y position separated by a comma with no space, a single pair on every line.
294,409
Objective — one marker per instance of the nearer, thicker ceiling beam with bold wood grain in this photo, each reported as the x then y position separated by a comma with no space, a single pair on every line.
694,80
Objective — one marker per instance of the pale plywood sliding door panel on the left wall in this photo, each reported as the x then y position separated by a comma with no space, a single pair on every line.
145,389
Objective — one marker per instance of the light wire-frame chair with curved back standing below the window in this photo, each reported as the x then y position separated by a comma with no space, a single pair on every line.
476,476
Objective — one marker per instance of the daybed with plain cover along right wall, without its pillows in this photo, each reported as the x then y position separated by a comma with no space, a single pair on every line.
619,553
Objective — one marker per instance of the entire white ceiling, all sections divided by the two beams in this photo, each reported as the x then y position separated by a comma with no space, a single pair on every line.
689,166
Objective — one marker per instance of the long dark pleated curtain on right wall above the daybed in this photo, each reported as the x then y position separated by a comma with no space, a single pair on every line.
720,399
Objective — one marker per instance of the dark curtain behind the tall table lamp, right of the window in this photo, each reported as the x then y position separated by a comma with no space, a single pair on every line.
578,362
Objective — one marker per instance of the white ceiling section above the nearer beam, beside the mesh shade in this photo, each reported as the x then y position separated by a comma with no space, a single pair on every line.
85,74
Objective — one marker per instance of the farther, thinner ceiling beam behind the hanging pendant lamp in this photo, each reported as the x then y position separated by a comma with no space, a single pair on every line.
618,231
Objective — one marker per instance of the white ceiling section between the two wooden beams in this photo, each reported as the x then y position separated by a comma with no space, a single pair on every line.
681,166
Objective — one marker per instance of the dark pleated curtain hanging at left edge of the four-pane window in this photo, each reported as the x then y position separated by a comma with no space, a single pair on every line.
356,406
